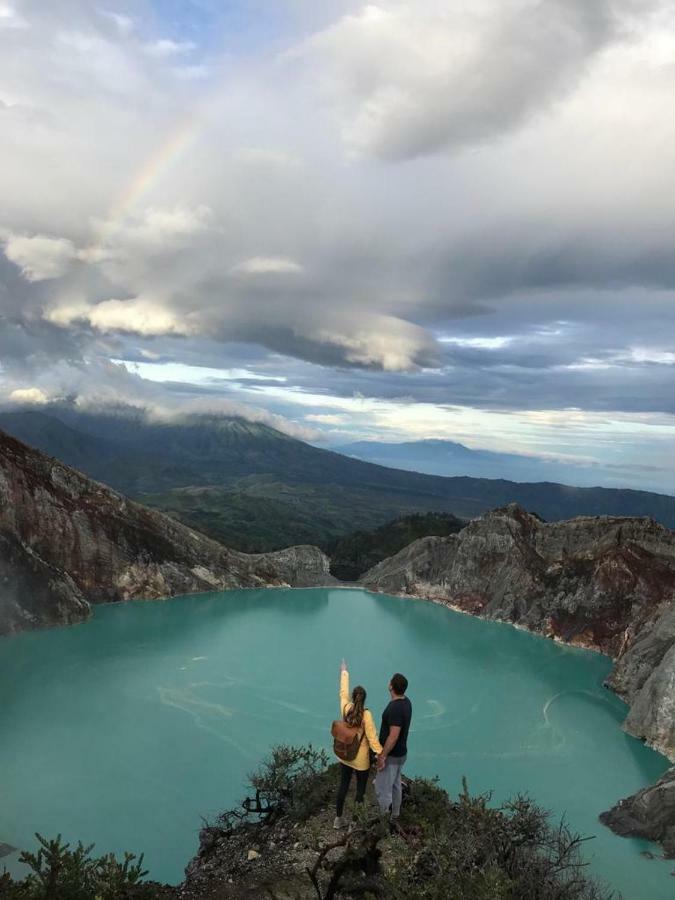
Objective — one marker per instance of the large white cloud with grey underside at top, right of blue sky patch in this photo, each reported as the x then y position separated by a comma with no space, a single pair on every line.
409,80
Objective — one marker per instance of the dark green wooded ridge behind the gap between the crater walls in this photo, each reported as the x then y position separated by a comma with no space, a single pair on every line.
355,553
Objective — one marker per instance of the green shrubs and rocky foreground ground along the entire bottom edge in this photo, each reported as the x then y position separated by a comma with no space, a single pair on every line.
280,844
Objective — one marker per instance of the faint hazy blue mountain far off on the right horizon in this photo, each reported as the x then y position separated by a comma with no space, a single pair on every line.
449,458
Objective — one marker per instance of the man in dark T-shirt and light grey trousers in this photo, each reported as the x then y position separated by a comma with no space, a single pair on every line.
394,739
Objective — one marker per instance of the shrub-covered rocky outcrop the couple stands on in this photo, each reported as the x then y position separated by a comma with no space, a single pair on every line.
441,849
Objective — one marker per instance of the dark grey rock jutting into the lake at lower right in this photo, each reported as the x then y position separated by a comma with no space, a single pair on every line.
649,814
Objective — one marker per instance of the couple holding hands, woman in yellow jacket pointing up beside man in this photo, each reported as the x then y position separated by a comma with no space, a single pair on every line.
390,747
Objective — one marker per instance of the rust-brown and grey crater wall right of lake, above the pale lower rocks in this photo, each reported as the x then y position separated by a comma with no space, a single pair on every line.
590,581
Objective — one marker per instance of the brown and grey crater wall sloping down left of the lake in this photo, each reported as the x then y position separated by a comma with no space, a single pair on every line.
67,541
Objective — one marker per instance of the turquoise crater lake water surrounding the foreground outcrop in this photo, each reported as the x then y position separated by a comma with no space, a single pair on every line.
127,729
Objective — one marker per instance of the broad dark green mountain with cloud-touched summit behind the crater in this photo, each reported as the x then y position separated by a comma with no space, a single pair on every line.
256,489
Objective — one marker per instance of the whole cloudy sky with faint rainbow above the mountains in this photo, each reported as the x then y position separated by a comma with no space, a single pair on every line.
392,221
